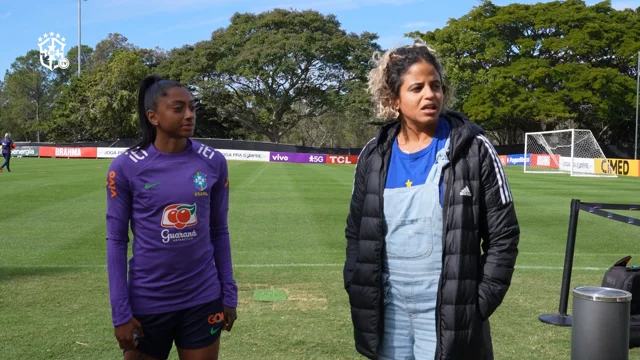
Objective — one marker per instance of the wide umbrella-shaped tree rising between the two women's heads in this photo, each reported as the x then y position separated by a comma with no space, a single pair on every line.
272,70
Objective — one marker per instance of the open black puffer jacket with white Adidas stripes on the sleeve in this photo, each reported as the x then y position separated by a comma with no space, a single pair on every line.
480,241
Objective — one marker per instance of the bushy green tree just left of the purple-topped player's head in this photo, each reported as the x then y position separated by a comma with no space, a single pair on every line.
102,103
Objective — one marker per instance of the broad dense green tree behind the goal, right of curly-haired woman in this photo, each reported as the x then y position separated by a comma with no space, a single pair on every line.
550,65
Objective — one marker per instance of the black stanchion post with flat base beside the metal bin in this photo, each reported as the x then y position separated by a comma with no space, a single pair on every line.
561,318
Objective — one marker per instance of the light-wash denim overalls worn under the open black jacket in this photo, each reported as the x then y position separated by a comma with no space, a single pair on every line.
412,266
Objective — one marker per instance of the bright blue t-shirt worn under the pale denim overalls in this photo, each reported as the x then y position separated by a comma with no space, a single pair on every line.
406,170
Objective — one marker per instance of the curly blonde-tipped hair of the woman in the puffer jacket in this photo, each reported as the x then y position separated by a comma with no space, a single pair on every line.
389,68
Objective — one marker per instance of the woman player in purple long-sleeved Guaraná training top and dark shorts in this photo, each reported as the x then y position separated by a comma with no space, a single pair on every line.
175,193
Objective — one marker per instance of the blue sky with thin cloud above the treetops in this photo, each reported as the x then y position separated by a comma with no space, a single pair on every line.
173,23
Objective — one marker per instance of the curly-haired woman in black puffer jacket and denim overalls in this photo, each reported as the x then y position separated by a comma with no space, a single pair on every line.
432,233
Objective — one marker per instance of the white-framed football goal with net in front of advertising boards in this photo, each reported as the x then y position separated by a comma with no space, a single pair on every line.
571,151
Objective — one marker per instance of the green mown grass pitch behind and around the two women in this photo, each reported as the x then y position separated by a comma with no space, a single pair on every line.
287,229
